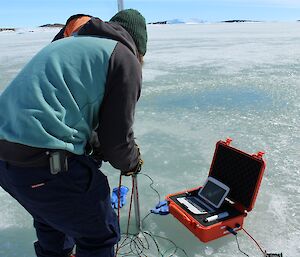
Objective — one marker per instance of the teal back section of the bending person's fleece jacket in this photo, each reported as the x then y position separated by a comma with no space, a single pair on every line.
54,103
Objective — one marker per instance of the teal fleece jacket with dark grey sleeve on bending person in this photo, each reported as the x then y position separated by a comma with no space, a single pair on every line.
70,88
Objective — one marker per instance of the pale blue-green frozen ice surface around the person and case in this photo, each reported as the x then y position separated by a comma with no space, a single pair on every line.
202,83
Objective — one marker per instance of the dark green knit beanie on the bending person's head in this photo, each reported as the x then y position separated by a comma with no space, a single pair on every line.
135,25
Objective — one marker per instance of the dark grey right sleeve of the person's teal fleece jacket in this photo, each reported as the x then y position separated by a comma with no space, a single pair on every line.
116,116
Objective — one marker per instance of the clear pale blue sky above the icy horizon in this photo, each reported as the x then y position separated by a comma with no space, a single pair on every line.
33,13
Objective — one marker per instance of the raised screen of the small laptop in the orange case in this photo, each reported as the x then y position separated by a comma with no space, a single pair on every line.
214,192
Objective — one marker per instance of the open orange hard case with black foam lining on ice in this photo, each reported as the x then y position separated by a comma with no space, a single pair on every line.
240,171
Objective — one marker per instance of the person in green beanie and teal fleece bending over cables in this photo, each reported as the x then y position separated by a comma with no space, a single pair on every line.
72,87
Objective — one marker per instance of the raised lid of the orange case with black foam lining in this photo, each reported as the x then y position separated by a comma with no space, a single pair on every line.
240,171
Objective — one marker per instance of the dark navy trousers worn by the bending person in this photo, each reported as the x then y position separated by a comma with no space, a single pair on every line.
69,207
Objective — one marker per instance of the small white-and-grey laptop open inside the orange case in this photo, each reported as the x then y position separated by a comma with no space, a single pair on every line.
208,199
